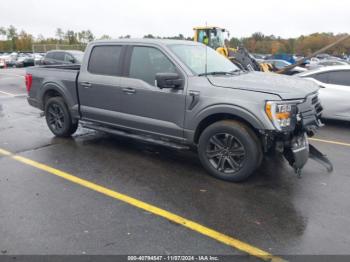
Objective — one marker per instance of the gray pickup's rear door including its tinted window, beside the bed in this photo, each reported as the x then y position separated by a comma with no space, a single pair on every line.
99,84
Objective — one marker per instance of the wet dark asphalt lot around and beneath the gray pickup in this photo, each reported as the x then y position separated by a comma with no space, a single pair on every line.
53,205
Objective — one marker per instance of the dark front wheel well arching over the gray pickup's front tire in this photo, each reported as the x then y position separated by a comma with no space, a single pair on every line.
218,117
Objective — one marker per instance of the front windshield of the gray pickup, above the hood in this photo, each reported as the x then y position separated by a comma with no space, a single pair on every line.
195,57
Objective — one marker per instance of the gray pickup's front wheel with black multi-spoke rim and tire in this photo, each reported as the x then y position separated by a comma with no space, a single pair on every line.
229,150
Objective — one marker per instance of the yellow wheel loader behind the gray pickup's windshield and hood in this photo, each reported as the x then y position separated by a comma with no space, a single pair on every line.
218,39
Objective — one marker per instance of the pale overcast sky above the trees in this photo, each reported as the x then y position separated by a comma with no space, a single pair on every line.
168,18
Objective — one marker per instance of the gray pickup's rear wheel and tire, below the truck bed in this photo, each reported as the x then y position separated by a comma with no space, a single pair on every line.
58,117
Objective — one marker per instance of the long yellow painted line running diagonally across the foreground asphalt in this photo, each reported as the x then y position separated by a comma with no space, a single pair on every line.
230,241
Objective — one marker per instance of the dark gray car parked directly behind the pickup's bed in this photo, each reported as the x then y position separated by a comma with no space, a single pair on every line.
57,57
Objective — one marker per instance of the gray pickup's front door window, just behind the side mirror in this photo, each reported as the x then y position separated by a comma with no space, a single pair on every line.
146,62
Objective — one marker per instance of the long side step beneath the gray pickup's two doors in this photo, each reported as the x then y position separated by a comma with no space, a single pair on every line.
119,132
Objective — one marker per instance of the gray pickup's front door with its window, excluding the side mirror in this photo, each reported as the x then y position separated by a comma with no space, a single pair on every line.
146,106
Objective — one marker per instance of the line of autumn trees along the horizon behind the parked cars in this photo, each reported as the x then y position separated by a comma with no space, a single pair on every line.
14,40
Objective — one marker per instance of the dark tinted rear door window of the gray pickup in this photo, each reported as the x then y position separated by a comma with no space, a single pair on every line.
104,60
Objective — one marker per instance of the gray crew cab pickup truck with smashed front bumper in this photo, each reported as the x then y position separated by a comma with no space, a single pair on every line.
184,95
